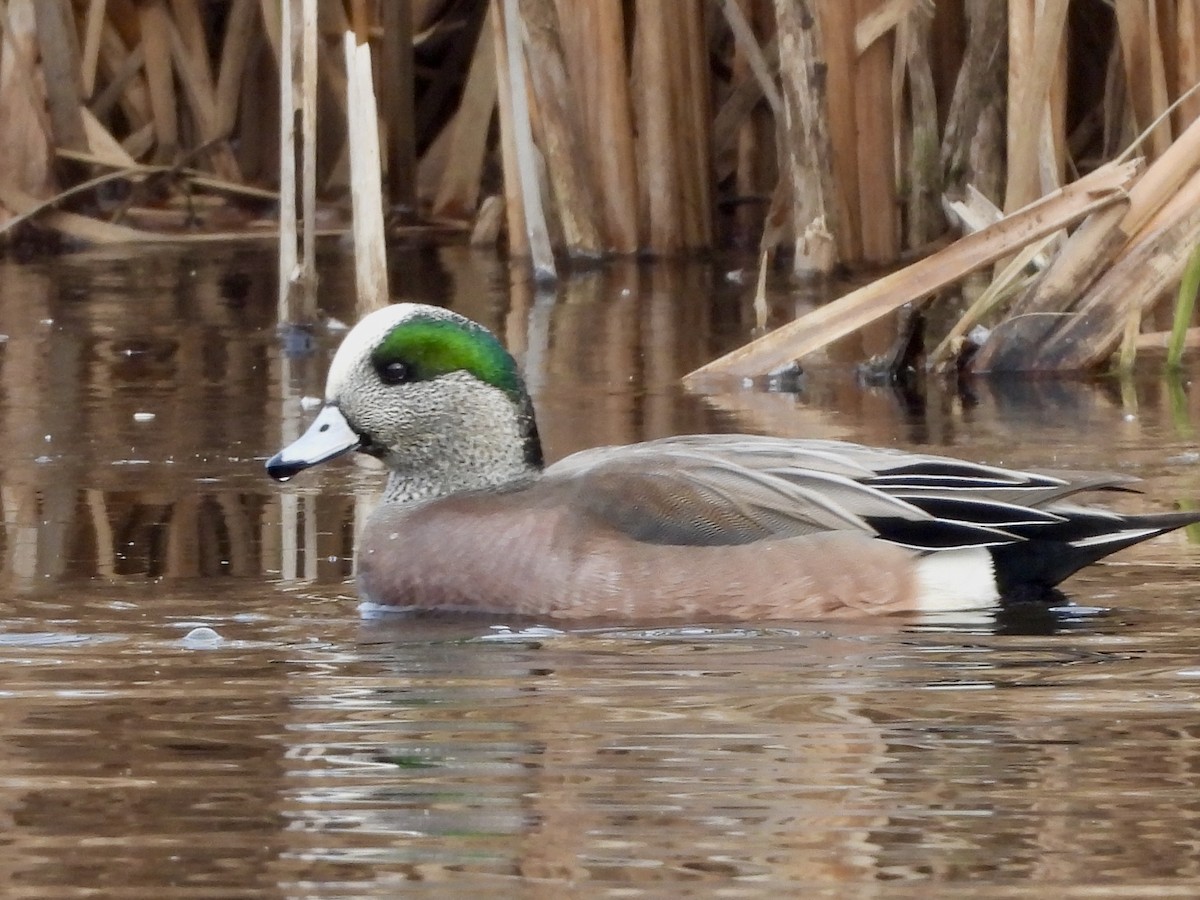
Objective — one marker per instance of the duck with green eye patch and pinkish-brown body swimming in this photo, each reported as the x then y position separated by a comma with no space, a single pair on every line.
723,527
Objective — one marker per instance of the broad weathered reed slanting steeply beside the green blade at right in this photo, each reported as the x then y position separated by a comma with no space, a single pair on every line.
1138,280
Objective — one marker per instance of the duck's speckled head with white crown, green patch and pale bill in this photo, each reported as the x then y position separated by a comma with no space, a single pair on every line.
434,395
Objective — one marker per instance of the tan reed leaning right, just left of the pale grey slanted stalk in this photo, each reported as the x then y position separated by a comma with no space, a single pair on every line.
458,195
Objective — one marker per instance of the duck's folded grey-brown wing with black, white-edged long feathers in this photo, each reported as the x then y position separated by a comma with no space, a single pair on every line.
737,489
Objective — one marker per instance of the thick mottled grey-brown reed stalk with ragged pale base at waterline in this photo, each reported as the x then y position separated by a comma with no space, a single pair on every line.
806,106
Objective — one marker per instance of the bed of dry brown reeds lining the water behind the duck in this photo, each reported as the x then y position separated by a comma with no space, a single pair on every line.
824,134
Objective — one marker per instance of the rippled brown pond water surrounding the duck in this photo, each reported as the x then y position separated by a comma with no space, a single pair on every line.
193,705
